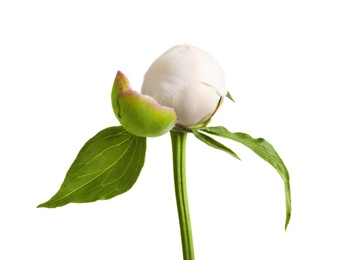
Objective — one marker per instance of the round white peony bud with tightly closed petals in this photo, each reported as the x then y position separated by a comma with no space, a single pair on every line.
188,80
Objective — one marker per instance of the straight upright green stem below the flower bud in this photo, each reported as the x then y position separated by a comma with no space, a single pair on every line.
178,140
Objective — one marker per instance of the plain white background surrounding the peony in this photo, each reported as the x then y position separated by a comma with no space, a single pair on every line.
288,66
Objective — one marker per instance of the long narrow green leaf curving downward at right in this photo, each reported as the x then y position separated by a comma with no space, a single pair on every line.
266,151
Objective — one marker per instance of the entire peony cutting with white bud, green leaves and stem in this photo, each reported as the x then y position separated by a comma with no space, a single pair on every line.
181,92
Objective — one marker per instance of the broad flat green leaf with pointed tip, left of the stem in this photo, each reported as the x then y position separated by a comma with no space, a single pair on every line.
106,166
